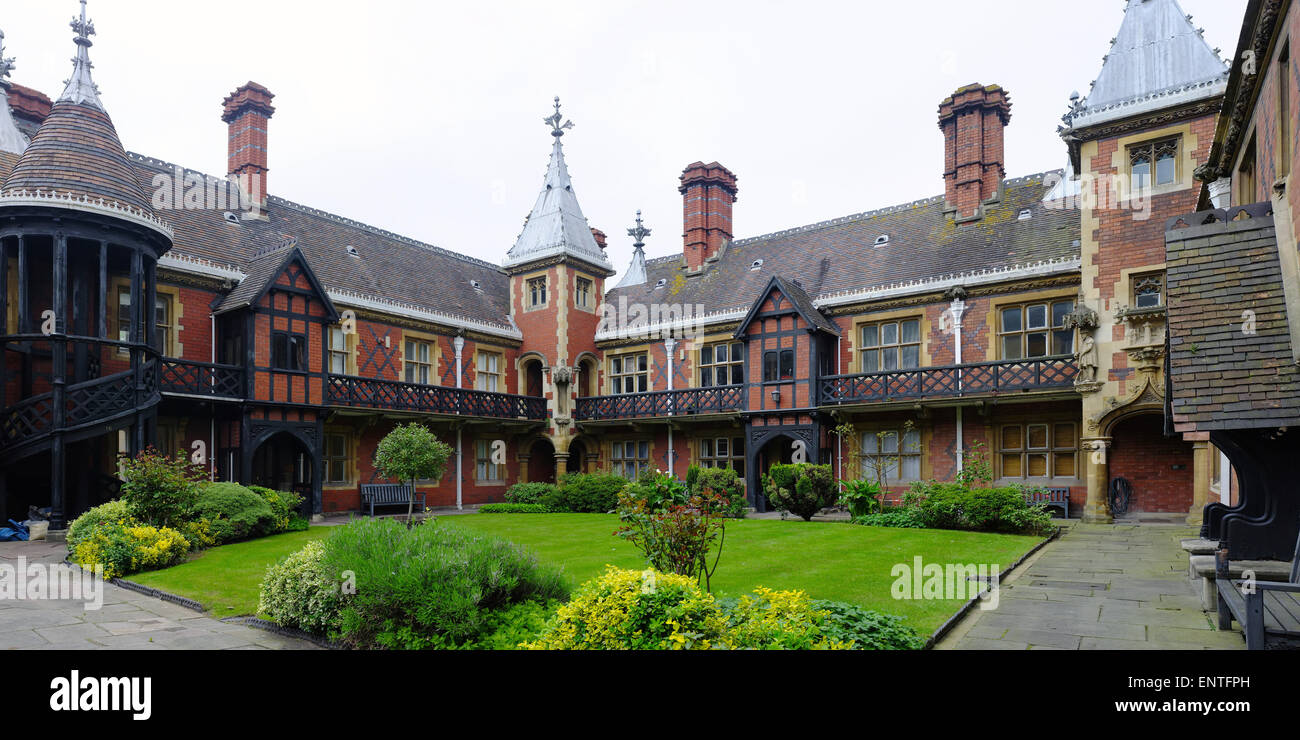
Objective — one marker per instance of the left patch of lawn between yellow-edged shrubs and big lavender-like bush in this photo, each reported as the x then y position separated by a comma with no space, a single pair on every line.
227,579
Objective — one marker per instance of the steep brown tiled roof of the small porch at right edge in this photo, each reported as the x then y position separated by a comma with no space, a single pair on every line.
1227,374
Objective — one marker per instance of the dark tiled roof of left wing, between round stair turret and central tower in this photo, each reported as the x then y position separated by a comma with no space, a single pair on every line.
385,266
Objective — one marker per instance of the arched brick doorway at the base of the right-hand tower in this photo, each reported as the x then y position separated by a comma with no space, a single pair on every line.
1158,468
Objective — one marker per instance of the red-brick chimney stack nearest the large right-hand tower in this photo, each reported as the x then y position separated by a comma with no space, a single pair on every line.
973,122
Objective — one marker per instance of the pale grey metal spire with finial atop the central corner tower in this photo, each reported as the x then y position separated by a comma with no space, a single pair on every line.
557,226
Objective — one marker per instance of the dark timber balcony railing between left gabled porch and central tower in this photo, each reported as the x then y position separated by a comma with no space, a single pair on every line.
393,396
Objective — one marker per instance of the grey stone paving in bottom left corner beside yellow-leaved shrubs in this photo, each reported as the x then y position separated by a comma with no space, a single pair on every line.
128,621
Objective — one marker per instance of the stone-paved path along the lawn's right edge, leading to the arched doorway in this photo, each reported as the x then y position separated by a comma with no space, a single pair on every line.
1120,587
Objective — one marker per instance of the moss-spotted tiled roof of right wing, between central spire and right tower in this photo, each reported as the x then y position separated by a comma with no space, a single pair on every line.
843,256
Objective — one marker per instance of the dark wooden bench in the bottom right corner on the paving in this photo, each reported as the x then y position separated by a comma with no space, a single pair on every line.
1269,612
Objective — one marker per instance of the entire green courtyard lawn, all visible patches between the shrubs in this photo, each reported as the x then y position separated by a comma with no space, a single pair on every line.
833,561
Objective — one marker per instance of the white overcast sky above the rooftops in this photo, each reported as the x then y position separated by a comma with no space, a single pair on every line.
426,119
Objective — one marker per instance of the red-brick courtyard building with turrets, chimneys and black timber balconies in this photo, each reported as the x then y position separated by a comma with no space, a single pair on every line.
149,305
